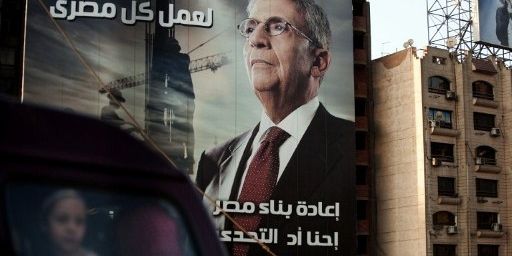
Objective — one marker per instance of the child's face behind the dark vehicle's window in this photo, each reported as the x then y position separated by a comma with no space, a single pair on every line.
66,223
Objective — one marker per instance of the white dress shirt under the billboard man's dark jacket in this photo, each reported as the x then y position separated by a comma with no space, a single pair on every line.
295,124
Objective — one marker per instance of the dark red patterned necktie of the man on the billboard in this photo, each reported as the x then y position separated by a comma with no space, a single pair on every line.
260,181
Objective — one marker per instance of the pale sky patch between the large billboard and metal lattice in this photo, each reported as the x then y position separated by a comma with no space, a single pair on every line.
395,21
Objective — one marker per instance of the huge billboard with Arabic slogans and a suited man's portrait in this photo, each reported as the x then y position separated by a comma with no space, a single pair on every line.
253,99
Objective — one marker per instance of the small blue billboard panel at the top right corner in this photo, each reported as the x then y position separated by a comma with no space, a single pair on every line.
491,22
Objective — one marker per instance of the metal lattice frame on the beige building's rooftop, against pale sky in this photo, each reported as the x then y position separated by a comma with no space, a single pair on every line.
450,26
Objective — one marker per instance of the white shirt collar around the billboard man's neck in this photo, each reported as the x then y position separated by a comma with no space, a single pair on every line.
295,124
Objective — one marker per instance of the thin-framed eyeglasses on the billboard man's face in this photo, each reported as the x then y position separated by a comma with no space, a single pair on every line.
273,26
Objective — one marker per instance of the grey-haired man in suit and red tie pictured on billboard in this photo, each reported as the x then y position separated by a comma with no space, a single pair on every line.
297,151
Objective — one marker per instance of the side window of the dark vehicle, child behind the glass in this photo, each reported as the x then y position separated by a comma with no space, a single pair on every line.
48,220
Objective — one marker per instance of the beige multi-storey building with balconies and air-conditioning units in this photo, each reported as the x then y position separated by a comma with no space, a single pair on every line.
443,143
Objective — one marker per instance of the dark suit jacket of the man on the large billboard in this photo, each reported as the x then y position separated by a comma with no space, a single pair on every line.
322,169
